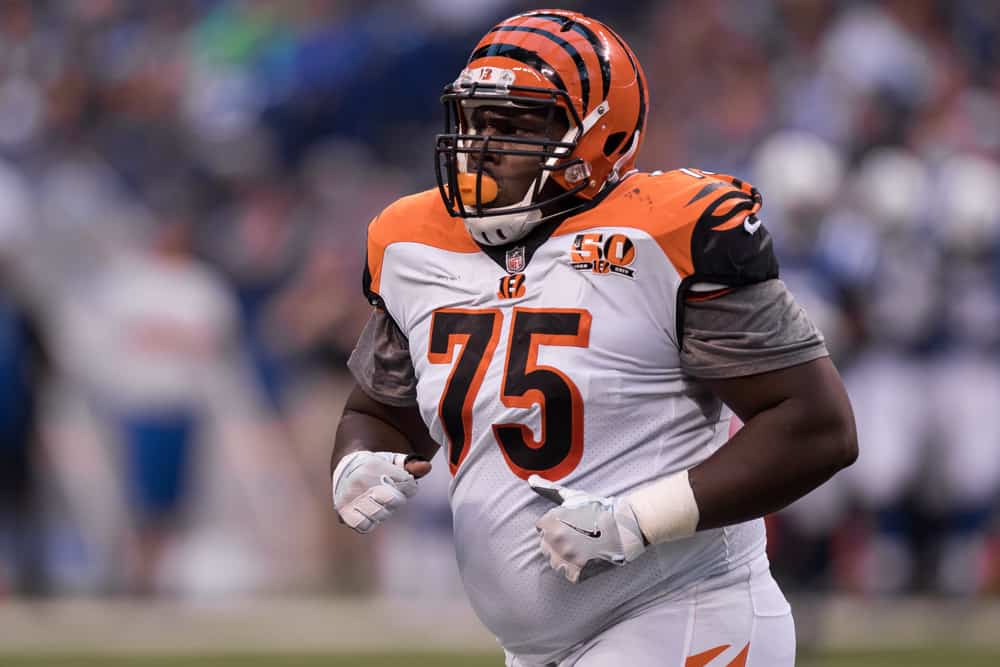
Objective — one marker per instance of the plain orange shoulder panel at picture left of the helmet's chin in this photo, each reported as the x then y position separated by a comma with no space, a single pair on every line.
419,218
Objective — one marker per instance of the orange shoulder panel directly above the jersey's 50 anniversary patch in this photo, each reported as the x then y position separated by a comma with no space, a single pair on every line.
668,206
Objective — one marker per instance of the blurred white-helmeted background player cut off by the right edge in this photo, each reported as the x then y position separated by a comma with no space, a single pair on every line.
968,371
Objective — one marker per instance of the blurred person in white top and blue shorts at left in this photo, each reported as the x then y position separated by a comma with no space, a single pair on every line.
169,327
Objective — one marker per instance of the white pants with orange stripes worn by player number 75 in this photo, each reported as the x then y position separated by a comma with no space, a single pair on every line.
739,619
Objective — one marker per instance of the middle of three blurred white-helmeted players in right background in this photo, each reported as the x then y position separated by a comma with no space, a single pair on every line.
891,381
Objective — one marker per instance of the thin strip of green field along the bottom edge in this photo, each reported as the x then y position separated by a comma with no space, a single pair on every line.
939,657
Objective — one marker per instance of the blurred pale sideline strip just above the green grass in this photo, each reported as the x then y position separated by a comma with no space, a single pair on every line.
285,625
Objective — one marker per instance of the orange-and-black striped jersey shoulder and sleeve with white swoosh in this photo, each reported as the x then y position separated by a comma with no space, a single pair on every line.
700,220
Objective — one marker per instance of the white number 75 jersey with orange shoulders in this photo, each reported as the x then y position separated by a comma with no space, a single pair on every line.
562,358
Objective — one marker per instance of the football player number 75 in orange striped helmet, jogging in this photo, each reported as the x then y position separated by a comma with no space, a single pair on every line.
576,335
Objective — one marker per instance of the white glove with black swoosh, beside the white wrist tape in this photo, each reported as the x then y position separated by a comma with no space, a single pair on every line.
586,534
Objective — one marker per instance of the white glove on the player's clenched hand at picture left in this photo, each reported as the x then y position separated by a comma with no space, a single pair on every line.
369,486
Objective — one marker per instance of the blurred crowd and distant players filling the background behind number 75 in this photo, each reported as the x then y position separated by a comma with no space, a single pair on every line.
184,189
